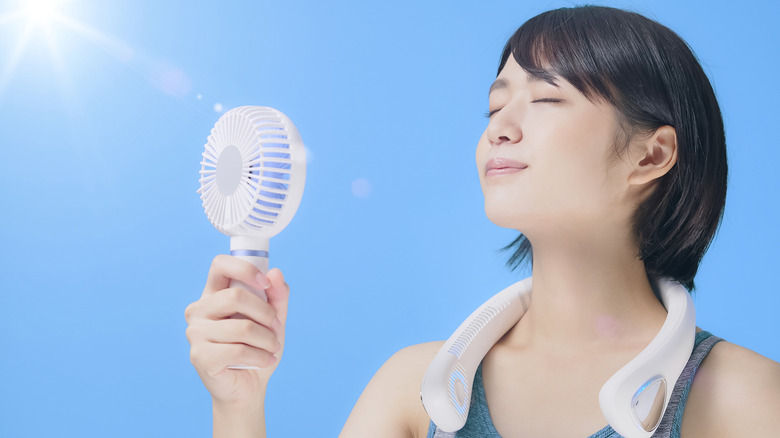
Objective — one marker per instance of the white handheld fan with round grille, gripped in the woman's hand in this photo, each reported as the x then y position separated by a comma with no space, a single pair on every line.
252,177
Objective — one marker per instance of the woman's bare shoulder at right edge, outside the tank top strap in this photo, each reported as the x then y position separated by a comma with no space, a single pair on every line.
735,392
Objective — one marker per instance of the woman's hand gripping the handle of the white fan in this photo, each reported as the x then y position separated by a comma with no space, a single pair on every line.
217,340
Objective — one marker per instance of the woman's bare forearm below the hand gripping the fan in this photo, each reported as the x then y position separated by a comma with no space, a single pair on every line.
239,422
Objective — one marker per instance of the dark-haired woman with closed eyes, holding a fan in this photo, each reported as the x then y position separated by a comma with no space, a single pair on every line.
605,149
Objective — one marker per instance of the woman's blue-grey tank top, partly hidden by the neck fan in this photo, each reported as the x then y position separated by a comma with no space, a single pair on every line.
479,424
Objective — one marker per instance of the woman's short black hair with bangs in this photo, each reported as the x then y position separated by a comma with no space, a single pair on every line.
652,78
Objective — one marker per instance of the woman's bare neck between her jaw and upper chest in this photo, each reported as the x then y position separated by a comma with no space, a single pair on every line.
588,296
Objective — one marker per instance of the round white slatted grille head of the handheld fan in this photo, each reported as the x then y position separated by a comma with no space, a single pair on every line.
264,141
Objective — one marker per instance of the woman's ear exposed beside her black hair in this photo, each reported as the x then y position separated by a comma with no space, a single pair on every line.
656,155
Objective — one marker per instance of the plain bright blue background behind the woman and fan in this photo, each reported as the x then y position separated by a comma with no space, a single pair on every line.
104,240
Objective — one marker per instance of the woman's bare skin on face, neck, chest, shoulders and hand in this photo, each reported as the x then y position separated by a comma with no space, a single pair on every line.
592,310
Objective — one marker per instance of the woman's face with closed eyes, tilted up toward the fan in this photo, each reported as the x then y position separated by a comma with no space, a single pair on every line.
549,148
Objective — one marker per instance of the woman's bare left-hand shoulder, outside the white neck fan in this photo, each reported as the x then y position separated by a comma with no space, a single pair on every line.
390,405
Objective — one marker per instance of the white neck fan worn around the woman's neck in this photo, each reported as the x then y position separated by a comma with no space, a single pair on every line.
633,400
